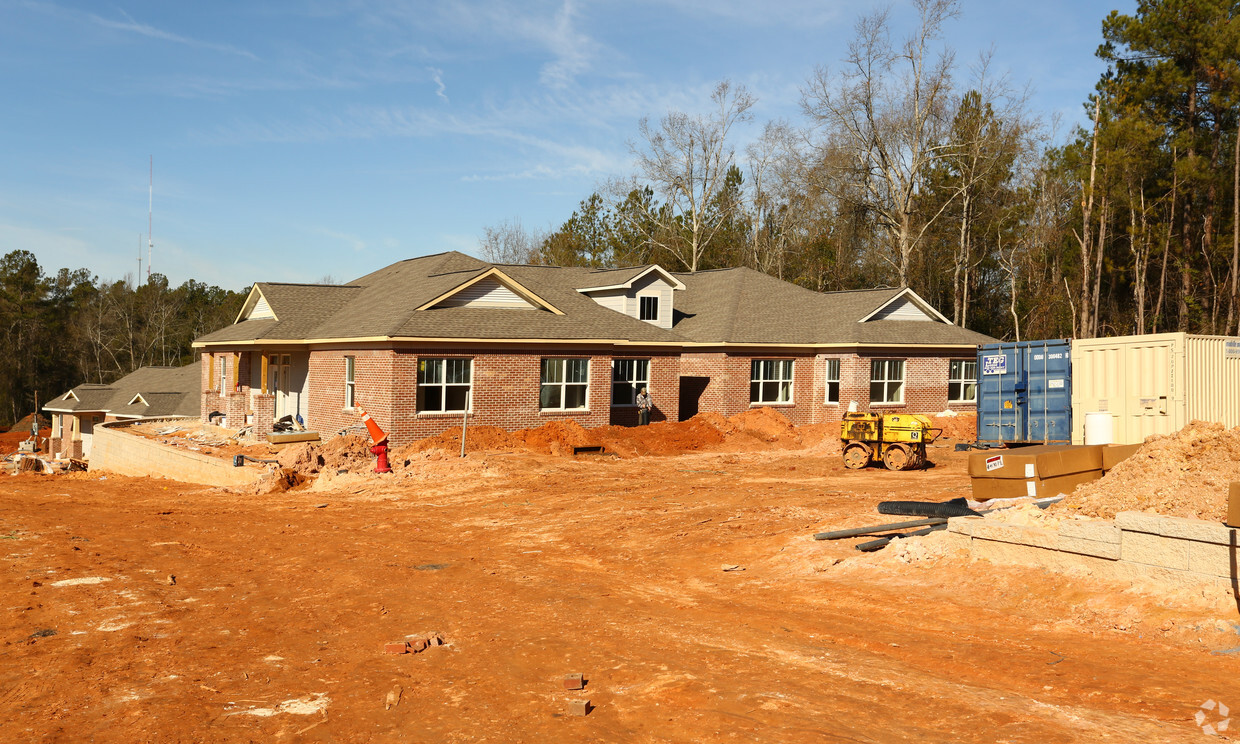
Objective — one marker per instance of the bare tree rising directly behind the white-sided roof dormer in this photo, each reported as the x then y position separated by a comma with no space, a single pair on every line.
686,161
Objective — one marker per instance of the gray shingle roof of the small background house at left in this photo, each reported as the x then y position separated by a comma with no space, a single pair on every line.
168,391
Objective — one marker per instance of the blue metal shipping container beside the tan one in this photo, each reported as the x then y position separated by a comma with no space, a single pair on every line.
1025,394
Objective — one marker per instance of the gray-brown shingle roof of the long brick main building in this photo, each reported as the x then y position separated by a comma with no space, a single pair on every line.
720,307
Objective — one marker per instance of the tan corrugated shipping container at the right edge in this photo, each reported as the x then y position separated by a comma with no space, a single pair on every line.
1155,384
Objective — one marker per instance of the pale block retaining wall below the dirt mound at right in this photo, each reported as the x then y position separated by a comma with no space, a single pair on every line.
1136,546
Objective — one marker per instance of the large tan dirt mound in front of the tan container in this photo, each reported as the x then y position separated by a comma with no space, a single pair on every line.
1181,476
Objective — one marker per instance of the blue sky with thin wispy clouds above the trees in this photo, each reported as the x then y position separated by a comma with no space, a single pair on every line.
297,141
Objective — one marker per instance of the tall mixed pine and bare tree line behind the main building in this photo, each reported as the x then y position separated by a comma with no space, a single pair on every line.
908,169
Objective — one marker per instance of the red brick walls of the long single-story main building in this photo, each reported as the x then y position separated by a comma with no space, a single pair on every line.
505,389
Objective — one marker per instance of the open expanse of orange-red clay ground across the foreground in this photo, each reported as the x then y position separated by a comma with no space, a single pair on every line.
149,611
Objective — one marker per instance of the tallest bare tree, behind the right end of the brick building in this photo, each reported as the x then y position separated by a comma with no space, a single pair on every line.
887,111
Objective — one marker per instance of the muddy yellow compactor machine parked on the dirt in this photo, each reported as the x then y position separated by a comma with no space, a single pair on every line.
898,440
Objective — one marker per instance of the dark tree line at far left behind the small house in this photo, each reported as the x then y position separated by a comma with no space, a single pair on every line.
73,328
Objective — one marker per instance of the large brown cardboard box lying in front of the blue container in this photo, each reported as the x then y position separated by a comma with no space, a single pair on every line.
1037,472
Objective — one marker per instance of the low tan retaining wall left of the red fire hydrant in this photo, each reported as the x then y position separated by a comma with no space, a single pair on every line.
120,452
